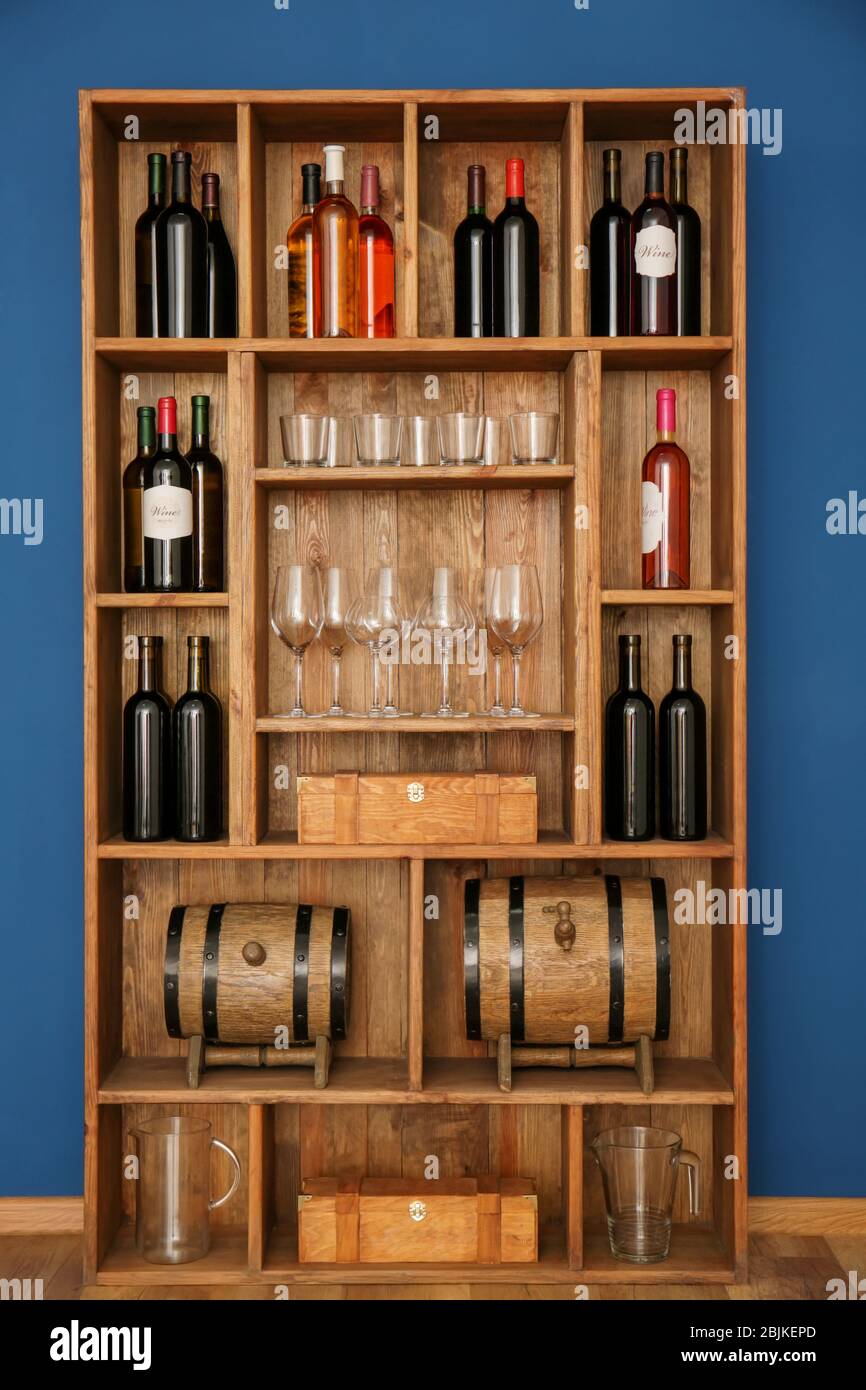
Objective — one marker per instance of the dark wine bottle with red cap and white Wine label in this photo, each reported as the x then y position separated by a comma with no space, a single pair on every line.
168,509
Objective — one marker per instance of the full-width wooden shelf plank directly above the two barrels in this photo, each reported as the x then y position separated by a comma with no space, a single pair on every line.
551,846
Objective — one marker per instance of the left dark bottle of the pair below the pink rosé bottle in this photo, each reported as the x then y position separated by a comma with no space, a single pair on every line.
630,761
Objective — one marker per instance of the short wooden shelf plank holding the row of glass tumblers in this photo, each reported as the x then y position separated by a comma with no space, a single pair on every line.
461,476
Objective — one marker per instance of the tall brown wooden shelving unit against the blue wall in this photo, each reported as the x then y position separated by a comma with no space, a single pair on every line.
407,1084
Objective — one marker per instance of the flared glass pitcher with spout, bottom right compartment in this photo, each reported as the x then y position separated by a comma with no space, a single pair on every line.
640,1177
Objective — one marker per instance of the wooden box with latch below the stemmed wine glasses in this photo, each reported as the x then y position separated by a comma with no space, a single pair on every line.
418,810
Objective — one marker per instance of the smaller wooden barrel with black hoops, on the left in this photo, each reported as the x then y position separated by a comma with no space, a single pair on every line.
237,972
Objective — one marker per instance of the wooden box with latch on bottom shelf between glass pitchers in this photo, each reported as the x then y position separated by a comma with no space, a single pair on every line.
377,1221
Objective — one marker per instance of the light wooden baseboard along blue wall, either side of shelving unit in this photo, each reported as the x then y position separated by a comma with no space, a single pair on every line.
768,1216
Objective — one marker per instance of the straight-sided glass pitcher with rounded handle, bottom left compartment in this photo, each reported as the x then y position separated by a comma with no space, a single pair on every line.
174,1204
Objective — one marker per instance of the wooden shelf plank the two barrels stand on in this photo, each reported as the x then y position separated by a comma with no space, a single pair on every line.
149,1081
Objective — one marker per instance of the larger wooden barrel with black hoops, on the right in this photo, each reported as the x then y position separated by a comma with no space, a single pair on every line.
544,957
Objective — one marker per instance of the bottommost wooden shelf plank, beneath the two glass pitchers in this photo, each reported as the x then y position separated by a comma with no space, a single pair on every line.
696,1257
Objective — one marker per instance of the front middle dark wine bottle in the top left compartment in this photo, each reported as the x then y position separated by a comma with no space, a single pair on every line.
181,259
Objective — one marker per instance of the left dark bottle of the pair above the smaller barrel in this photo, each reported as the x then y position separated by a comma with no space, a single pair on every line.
148,792
